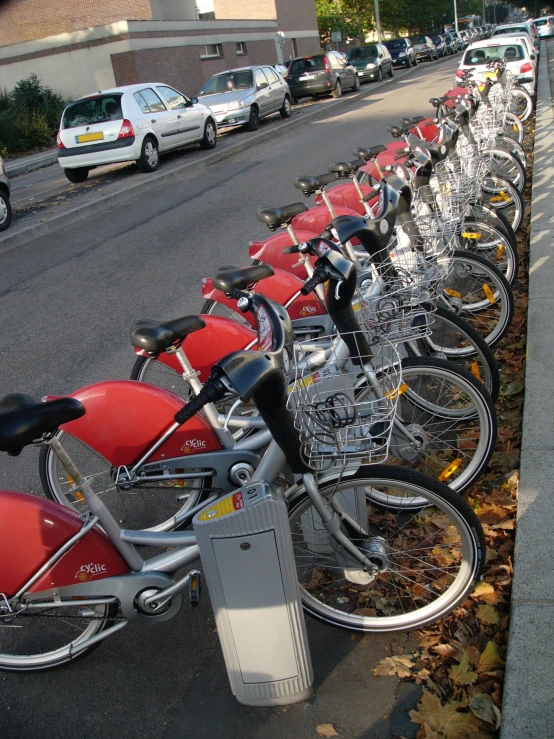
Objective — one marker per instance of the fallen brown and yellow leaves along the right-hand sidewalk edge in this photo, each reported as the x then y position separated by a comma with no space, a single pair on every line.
459,661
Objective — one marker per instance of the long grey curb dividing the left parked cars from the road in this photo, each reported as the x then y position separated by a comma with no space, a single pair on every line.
167,175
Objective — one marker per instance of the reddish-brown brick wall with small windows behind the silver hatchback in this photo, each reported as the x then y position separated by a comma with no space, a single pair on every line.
182,67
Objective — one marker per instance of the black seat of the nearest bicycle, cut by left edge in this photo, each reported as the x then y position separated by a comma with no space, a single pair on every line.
22,419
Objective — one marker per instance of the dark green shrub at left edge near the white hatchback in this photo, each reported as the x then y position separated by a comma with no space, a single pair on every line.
29,116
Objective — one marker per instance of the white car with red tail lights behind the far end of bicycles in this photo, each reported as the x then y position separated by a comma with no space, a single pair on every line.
518,60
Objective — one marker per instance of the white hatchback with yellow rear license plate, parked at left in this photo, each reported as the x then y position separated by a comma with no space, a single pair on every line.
131,123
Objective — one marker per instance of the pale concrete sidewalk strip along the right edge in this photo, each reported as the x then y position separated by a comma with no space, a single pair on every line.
529,684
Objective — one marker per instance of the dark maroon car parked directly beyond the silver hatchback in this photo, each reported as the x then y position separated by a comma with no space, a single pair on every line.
325,73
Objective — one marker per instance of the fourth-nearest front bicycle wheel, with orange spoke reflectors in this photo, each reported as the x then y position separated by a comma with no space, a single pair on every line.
474,300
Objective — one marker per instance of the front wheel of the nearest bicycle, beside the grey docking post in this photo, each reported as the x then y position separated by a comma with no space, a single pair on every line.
429,559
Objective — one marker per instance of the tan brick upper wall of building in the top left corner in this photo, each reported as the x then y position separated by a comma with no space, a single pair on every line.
25,20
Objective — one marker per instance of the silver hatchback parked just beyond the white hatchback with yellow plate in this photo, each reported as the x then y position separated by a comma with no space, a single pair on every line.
243,96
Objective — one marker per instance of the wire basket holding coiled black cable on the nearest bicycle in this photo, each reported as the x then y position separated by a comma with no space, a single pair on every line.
343,408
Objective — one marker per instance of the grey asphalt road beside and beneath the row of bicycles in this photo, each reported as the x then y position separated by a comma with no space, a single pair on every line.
67,303
